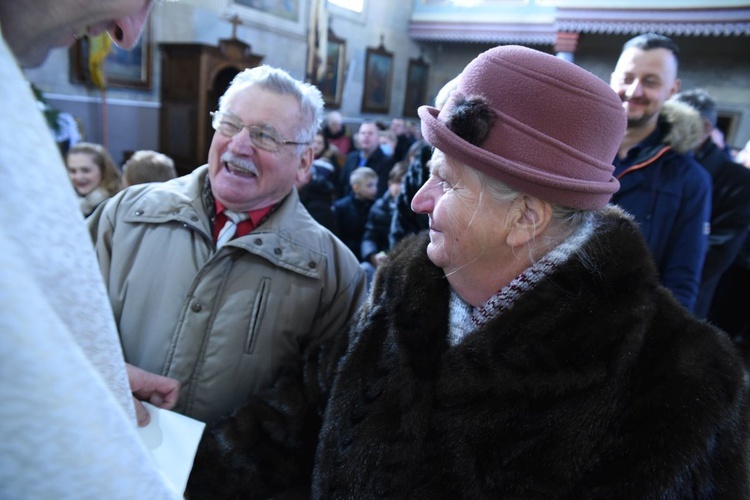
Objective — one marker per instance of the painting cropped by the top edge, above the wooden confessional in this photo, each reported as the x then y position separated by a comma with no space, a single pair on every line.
288,17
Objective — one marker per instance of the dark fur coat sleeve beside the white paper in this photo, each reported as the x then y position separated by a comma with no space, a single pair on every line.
266,448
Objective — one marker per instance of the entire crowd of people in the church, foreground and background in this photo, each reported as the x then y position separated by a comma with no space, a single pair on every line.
508,302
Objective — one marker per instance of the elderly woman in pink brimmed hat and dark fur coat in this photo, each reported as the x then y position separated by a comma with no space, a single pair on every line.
522,348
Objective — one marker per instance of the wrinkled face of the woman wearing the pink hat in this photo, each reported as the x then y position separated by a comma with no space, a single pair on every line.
467,226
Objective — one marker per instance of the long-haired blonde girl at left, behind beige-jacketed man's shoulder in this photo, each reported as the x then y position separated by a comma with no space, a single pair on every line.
93,173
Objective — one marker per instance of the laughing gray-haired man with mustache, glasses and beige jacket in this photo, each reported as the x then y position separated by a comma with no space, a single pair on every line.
220,278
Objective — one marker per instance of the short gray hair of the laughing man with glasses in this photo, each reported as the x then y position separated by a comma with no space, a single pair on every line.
278,81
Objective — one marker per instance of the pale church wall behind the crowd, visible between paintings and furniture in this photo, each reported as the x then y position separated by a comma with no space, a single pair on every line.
719,65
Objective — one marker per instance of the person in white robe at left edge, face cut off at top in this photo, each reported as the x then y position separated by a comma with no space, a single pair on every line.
67,422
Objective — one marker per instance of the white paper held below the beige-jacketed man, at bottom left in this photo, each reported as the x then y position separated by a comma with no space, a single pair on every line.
172,440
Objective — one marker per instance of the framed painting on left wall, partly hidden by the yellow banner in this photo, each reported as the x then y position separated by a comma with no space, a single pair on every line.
129,69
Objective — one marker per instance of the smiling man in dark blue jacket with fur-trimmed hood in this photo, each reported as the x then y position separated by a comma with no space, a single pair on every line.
661,185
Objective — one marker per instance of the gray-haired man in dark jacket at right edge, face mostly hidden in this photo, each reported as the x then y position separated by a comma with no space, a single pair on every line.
730,208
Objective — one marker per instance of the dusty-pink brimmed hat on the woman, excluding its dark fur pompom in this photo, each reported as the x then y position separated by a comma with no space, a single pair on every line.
556,126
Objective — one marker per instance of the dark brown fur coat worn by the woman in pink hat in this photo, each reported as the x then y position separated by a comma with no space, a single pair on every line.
595,383
